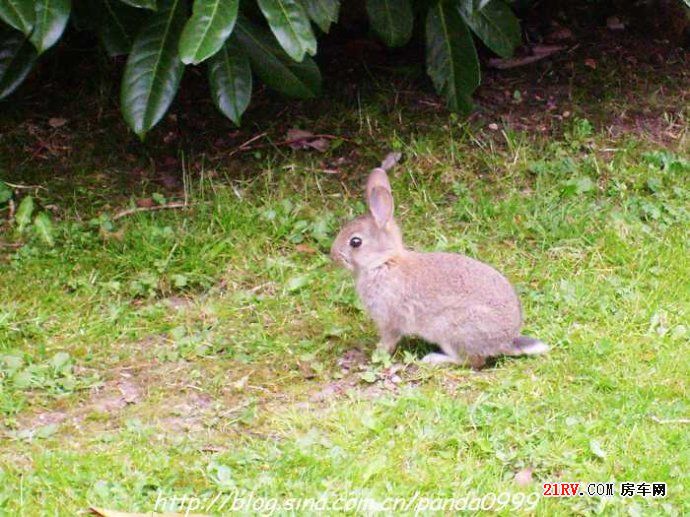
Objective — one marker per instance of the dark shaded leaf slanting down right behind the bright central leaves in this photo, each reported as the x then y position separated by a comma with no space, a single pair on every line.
274,67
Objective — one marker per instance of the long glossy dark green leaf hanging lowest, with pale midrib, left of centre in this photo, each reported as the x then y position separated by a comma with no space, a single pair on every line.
154,70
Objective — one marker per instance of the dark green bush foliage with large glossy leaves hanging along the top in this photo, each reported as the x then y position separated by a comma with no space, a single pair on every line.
273,39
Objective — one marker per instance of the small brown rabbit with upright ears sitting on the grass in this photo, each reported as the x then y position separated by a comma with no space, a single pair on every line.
464,306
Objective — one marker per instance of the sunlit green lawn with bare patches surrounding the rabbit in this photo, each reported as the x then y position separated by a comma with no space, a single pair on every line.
230,323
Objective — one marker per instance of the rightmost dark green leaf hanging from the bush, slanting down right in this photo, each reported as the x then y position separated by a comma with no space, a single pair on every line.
494,23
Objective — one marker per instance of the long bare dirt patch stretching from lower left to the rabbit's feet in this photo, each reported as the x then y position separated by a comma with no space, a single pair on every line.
228,399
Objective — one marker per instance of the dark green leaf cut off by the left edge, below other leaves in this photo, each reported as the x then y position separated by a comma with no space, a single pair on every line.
17,57
